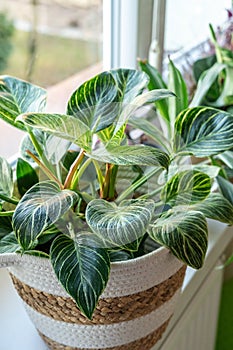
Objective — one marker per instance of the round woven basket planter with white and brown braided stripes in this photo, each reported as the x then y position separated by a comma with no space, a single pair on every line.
132,313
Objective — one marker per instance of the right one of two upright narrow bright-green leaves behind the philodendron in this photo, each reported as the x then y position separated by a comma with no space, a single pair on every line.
177,85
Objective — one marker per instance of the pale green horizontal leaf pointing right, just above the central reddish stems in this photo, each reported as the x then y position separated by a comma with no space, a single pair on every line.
131,155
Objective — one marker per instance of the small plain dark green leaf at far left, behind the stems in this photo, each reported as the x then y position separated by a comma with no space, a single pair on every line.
26,176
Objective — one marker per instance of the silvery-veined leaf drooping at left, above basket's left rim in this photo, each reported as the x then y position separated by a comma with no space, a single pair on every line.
39,208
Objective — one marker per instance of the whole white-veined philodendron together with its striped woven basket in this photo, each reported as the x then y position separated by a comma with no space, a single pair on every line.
97,231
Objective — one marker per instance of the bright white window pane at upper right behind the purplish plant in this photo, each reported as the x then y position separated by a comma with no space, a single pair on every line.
187,21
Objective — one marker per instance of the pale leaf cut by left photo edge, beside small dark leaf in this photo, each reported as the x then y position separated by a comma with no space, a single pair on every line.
6,180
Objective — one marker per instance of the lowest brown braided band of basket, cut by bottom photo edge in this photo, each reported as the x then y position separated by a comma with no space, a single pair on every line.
145,343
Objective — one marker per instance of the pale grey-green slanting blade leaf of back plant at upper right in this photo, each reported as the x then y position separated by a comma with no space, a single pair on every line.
205,82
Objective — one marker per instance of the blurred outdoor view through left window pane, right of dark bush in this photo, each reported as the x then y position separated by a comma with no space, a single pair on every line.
53,39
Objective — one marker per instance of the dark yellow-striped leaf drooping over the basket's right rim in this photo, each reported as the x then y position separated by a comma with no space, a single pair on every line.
185,233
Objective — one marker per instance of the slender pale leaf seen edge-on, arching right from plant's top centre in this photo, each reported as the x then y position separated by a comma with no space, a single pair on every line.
139,101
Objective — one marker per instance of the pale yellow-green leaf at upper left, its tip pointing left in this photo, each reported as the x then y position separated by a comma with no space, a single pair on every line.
64,126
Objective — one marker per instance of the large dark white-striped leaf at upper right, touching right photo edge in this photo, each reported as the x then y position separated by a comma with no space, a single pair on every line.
203,131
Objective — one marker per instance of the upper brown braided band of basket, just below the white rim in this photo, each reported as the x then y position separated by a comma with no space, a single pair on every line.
108,311
